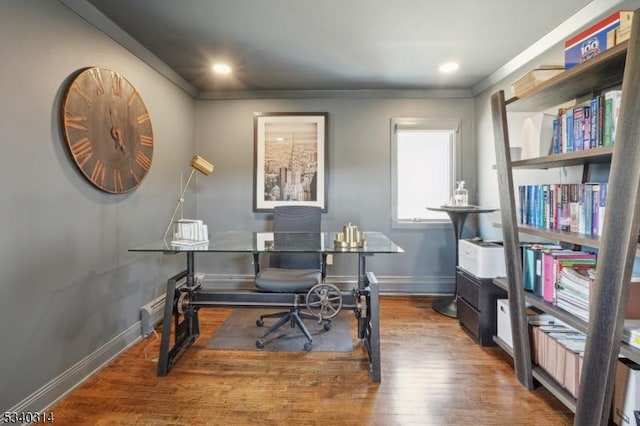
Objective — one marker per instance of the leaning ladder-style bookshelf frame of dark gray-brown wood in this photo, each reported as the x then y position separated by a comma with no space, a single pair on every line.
619,241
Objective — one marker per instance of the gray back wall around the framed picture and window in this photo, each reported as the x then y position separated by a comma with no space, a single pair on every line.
359,181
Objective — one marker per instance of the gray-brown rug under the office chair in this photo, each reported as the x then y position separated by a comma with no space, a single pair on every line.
239,331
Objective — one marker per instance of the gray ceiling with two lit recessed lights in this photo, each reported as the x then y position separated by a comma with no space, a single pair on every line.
325,45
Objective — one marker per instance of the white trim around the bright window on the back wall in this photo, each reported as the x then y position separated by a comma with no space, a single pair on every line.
430,123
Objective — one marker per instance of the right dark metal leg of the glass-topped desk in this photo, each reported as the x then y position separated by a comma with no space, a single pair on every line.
369,327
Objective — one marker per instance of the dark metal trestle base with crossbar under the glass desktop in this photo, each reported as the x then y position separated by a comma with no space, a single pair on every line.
182,305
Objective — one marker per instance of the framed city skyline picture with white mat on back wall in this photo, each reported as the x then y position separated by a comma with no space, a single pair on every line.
290,159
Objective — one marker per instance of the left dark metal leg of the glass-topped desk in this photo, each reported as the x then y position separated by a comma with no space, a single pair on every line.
185,331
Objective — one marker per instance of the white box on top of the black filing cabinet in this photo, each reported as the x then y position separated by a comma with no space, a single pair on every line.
484,259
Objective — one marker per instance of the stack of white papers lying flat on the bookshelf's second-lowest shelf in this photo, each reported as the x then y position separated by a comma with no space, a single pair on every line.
574,289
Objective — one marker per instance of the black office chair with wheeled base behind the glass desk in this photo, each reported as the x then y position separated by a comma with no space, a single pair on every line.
295,273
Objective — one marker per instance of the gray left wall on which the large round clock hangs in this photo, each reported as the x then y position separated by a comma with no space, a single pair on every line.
69,285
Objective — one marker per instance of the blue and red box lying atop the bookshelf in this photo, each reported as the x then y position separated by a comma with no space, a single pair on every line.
593,41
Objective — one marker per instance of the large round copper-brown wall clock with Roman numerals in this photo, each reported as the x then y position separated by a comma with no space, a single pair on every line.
107,129
